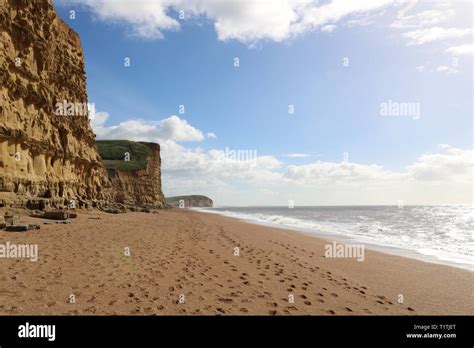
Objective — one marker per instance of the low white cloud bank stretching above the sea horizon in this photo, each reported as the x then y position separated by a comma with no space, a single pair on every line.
441,177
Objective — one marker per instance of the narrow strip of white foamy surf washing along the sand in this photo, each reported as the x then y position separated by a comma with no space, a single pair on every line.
386,249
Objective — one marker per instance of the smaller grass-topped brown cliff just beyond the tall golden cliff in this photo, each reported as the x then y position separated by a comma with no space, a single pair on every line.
134,169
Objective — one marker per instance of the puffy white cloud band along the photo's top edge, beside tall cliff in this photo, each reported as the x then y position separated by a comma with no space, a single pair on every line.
245,21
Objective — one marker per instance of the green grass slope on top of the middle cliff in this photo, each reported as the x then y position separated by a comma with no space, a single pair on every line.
113,154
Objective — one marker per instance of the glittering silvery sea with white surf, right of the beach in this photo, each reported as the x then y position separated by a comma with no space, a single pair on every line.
441,234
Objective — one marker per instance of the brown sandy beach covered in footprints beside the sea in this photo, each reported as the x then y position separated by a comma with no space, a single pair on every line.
181,262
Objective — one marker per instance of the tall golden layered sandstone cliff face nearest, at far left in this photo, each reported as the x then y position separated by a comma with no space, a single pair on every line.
44,153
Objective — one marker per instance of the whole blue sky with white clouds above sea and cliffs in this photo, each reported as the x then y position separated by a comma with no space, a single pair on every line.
260,102
